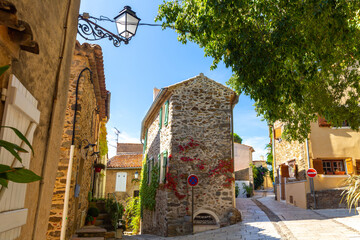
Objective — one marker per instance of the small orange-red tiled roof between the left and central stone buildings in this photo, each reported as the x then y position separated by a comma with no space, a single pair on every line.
126,161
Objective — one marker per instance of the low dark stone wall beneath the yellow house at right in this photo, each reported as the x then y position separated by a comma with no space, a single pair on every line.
326,199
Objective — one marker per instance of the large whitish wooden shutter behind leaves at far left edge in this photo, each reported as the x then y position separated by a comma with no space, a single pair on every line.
20,111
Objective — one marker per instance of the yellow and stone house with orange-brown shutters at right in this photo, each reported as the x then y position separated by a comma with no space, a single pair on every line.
333,152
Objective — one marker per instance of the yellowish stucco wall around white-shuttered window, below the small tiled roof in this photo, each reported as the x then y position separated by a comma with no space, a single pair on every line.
131,186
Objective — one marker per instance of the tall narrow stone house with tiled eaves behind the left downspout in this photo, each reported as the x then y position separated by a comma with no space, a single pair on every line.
92,108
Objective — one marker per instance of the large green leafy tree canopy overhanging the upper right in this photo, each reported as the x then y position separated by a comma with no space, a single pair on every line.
296,59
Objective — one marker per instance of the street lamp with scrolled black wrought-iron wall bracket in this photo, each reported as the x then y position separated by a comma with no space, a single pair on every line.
126,24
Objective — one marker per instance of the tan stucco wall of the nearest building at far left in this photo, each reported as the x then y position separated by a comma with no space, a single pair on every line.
46,77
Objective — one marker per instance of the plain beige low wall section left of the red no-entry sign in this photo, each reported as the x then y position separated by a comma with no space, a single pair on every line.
298,191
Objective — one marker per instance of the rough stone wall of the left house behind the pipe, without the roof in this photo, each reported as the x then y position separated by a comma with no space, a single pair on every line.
82,165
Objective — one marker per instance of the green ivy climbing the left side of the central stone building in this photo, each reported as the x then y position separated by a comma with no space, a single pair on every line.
148,191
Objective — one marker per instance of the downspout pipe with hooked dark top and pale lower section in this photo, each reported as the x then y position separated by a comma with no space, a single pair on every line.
72,149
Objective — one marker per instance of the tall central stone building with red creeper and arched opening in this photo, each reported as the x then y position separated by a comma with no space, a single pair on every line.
188,130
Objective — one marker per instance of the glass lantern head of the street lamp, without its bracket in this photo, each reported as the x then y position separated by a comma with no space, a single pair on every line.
127,23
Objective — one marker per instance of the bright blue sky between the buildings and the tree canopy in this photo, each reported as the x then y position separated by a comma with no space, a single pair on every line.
154,58
